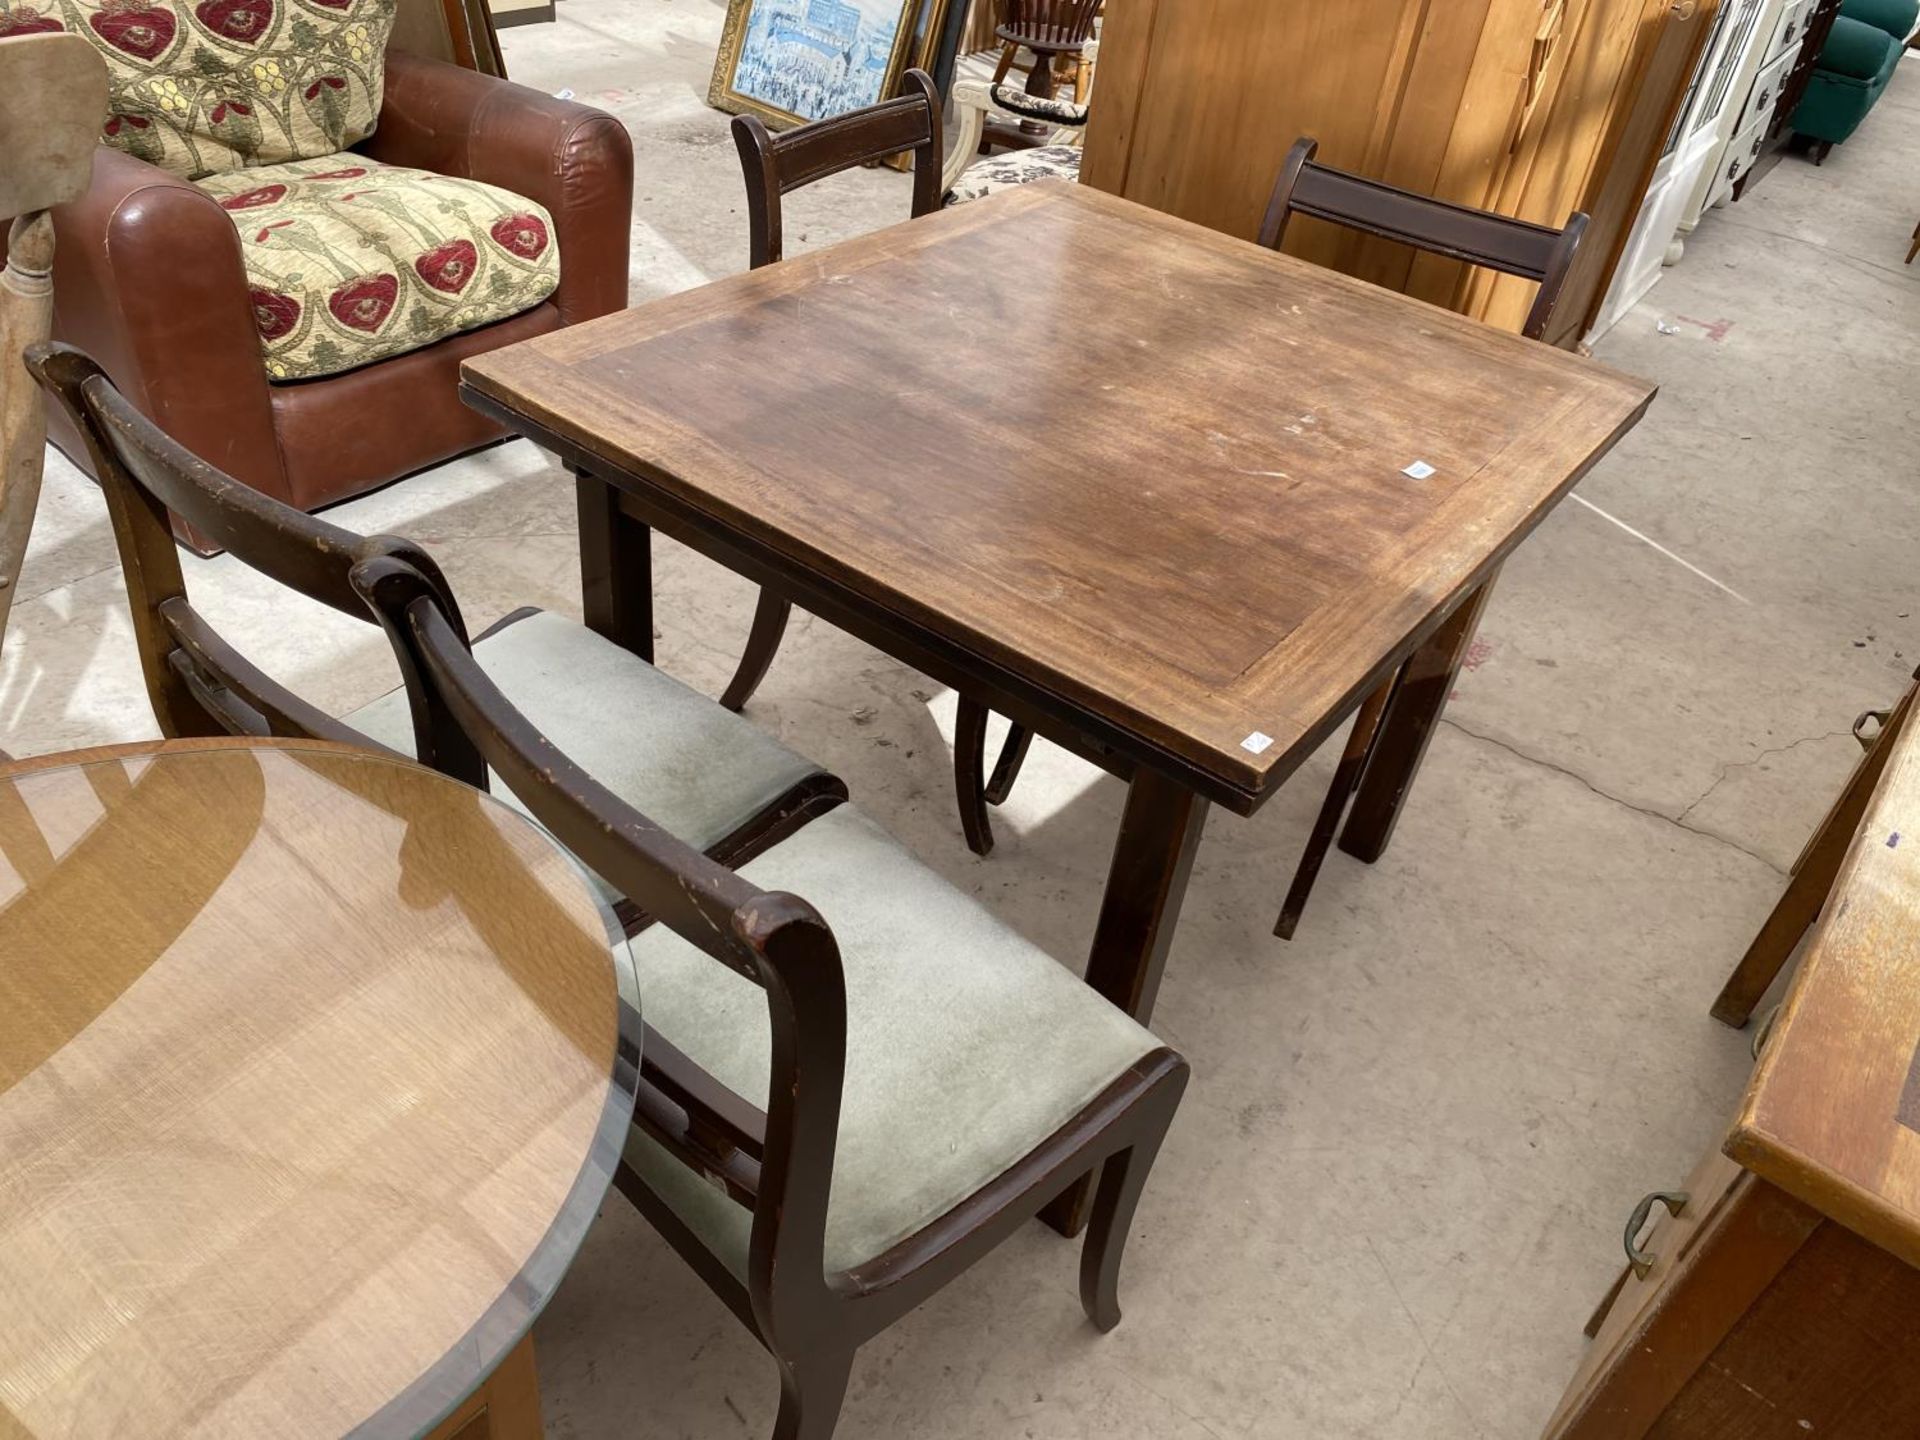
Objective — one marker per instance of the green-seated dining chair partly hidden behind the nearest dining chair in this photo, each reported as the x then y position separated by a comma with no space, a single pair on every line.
713,777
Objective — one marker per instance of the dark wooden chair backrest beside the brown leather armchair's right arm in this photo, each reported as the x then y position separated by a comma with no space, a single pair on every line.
777,164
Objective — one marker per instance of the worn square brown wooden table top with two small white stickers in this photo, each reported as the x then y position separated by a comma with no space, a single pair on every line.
1140,466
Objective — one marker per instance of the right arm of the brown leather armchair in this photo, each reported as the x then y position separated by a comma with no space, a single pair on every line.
575,160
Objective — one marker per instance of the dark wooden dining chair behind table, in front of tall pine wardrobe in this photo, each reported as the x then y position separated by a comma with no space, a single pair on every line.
1439,228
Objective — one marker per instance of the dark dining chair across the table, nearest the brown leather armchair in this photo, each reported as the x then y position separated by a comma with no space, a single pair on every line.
775,166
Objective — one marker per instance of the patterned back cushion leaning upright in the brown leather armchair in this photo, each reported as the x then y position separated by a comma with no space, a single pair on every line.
218,85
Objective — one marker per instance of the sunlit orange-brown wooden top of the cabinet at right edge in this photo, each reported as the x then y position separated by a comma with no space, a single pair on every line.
1833,1115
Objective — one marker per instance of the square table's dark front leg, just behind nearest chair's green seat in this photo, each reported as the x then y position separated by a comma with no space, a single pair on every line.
1145,888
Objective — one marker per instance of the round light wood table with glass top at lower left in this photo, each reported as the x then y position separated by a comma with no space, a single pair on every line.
314,1072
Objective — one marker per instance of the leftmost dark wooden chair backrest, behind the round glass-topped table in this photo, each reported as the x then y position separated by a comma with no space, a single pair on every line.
197,681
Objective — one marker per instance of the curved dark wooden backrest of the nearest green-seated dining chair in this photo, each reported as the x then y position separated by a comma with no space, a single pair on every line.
777,1163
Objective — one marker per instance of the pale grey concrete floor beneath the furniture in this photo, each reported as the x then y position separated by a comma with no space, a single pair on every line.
1399,1182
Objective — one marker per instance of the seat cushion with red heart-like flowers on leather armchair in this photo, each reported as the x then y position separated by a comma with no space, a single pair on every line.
350,262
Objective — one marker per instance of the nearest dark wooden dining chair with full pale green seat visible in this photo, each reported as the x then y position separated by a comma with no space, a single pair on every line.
846,1099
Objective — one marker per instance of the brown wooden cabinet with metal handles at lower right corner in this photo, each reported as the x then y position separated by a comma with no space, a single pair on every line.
1783,1299
